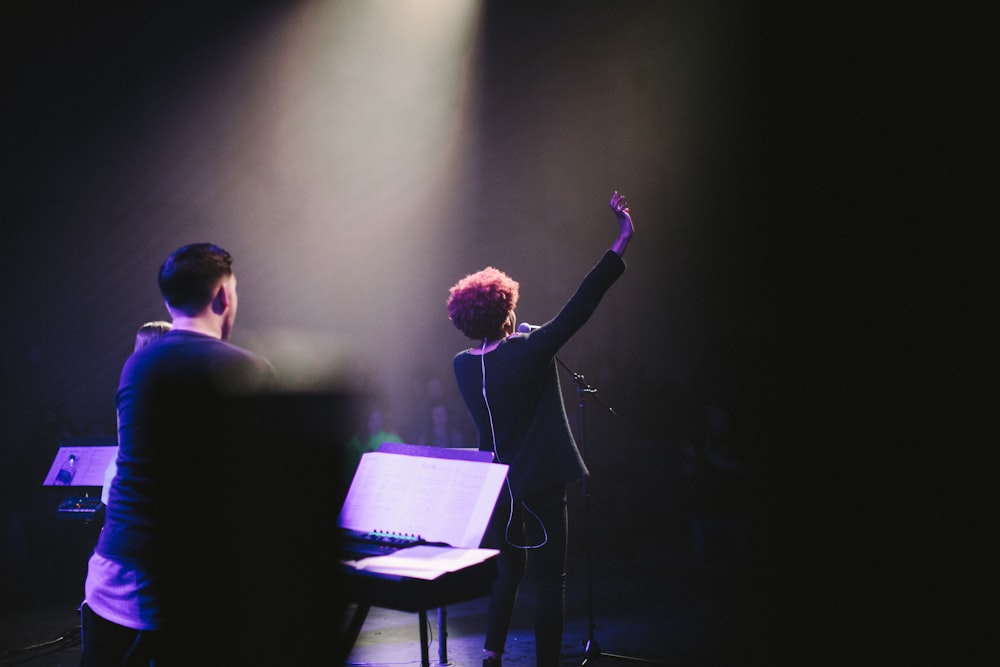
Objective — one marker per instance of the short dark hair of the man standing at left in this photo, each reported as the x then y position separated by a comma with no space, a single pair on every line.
189,275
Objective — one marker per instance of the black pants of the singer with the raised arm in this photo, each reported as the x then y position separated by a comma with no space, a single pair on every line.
537,530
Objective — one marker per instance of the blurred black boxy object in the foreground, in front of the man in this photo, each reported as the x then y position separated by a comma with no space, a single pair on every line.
249,575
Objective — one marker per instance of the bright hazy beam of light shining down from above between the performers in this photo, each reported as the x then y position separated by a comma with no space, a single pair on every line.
319,152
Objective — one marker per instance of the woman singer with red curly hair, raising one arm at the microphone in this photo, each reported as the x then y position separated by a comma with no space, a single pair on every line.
510,383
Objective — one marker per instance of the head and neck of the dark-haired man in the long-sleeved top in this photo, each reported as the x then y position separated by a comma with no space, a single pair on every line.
197,280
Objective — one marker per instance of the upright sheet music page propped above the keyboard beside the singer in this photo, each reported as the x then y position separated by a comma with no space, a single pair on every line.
441,500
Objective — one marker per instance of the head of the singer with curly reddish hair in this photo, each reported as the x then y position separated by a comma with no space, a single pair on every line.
481,305
